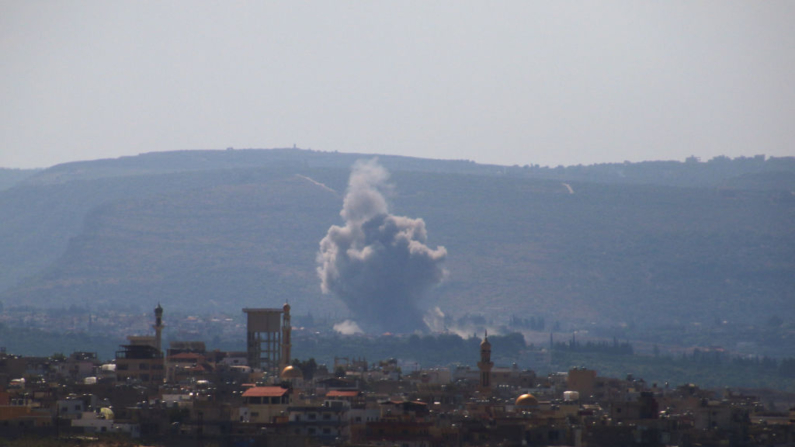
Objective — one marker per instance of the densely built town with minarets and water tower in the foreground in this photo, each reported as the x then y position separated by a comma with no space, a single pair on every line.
187,395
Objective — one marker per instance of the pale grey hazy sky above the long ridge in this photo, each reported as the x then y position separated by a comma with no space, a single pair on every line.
507,82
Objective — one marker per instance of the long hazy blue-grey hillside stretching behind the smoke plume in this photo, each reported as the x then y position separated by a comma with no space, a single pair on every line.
231,237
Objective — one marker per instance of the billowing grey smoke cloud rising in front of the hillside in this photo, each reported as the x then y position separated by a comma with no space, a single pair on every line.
378,263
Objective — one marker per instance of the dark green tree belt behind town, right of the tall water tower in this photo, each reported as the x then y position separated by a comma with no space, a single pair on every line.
712,369
